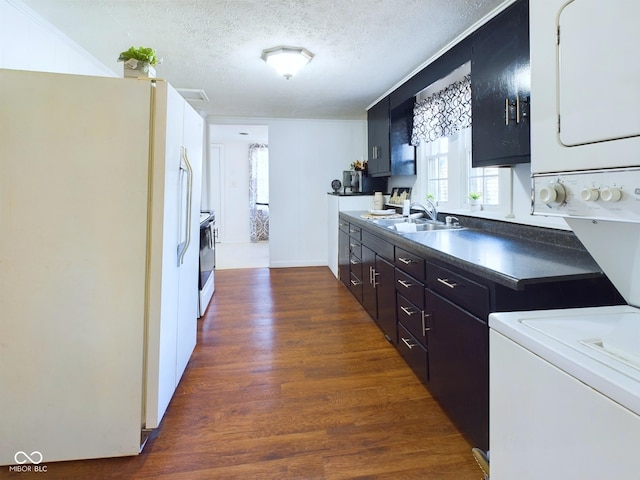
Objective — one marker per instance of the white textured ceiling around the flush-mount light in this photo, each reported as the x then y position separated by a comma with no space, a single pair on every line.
362,47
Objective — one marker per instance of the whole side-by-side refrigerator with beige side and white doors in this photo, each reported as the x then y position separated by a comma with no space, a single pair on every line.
98,260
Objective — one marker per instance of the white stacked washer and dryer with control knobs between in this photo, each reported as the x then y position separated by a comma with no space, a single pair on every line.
565,384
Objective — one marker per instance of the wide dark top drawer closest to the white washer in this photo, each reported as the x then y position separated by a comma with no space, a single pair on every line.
460,290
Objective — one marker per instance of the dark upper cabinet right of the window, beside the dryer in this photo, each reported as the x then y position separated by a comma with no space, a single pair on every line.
500,89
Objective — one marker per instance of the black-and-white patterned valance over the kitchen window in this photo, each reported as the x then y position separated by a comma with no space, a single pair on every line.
443,113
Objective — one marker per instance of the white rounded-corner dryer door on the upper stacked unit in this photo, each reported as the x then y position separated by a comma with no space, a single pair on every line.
598,93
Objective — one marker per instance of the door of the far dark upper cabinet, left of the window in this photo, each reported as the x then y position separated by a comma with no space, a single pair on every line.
378,126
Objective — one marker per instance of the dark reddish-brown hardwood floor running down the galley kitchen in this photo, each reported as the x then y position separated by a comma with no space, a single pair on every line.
291,380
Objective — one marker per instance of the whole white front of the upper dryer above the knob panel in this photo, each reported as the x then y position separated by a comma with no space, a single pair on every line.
584,95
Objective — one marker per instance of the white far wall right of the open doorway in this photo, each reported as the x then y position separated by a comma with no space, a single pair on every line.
304,157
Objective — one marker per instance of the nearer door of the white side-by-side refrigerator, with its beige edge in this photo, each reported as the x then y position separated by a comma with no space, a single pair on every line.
164,239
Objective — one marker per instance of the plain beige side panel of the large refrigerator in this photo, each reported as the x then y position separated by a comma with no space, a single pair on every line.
74,157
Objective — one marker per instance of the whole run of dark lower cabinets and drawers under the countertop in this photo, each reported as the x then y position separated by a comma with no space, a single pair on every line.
436,315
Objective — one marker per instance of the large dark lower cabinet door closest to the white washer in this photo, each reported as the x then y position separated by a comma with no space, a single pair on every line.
459,366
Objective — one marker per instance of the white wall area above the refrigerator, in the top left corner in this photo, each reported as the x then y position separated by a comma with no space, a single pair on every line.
27,42
